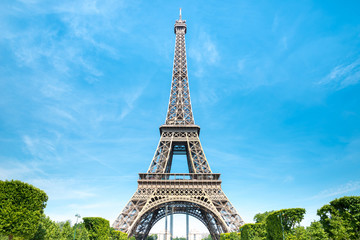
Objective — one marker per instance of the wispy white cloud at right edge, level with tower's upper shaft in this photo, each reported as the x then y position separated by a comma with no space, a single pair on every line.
343,75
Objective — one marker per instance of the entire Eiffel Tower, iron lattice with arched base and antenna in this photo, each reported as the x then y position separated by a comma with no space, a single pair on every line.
197,193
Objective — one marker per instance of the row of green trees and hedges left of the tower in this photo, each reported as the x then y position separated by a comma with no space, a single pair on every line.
22,217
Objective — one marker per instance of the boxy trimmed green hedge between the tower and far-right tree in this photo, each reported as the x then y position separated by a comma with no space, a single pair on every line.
283,220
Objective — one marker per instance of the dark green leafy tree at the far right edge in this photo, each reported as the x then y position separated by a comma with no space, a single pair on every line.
341,218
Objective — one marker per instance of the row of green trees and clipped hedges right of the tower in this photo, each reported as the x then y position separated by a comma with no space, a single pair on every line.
340,220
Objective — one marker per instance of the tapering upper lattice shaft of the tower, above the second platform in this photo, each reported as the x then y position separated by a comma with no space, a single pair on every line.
179,111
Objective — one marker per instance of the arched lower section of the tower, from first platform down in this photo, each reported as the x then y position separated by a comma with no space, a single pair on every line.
200,195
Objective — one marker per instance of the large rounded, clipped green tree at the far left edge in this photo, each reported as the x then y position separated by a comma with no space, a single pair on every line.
21,207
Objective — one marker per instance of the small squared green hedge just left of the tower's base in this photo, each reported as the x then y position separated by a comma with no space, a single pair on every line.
98,228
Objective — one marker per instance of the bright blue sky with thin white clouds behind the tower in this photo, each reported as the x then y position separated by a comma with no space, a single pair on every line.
84,86
